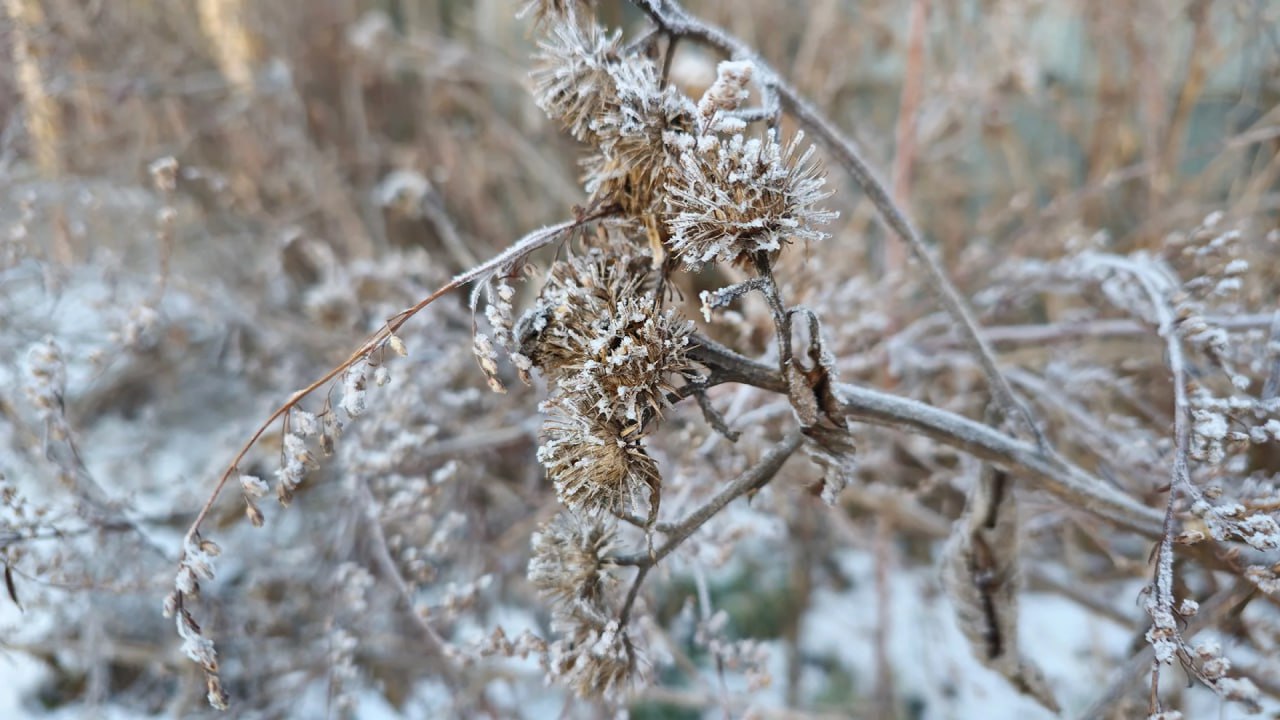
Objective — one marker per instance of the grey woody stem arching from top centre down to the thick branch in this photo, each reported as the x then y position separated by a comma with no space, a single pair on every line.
675,21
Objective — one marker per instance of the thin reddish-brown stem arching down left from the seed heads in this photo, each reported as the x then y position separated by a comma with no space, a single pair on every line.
533,241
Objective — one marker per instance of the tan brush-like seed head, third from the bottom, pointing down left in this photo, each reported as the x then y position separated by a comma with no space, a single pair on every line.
596,464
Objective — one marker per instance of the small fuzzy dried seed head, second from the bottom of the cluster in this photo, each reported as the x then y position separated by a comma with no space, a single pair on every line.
569,563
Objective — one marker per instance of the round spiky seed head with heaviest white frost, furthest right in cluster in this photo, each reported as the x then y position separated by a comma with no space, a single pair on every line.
737,198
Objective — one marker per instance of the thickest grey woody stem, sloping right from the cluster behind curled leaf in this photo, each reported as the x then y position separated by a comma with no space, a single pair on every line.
1052,473
